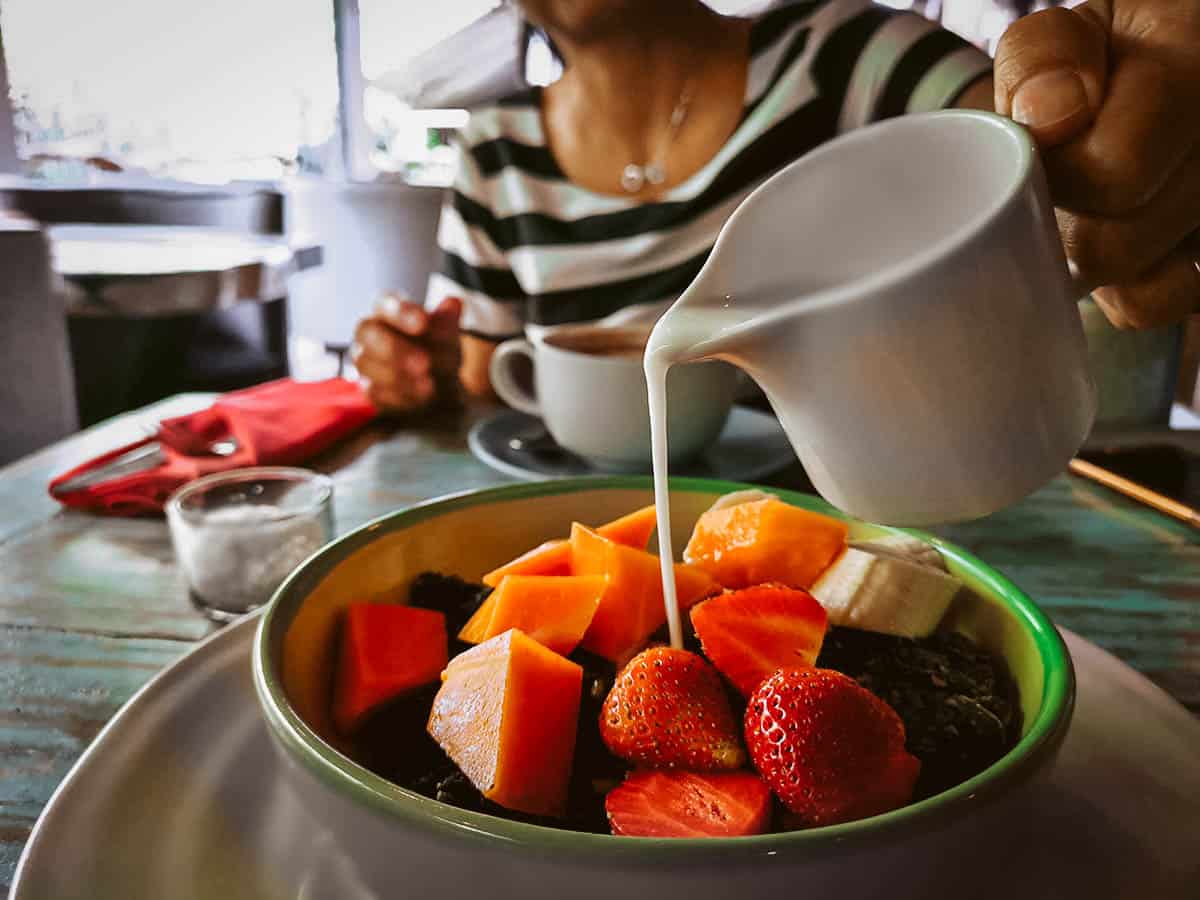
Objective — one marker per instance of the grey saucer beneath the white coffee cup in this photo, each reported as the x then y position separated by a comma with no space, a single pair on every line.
752,447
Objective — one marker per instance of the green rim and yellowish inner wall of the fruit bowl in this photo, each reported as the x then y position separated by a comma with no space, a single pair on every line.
467,535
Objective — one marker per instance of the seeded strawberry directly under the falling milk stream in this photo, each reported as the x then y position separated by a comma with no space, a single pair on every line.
668,709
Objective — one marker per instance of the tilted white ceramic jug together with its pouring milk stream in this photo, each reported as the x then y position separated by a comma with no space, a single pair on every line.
903,298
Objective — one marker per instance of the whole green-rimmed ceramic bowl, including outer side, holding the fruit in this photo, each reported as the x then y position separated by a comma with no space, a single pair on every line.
398,841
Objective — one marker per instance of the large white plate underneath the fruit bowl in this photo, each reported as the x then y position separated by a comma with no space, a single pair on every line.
181,799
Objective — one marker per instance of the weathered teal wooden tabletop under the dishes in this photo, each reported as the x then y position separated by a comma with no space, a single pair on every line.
92,608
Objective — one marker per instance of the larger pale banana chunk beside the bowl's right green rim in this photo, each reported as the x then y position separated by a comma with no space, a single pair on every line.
878,592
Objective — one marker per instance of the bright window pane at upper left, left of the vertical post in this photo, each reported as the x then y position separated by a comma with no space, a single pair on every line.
205,91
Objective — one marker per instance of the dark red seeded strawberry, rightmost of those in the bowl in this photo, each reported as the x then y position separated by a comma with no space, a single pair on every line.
829,748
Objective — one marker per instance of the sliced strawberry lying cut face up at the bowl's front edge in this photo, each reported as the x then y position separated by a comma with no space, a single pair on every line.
689,805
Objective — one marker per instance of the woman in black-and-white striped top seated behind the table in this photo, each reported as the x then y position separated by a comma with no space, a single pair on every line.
608,189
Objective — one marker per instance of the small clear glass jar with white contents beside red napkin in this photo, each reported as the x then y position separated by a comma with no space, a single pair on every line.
238,535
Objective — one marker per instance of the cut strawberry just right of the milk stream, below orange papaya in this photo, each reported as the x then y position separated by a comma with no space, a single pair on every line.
751,633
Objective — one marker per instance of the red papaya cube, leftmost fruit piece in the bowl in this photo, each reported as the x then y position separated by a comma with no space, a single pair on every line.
387,651
